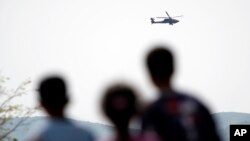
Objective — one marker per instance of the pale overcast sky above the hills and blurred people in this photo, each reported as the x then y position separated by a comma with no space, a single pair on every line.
95,42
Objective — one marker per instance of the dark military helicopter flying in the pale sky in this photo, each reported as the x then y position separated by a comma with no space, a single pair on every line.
169,20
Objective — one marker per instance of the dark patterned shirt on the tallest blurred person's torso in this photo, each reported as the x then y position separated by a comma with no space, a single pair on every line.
177,116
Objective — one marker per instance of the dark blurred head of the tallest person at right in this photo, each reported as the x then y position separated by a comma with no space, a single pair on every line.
160,64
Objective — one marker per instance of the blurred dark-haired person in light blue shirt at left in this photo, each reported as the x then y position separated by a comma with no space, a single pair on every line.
54,98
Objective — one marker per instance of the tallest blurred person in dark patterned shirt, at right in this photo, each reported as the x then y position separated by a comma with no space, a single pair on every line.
175,116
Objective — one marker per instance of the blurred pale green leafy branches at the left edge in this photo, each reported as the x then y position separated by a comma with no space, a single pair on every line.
10,110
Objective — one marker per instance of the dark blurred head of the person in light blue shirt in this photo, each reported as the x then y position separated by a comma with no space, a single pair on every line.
53,95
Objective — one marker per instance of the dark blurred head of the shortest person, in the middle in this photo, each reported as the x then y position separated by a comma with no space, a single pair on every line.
119,104
